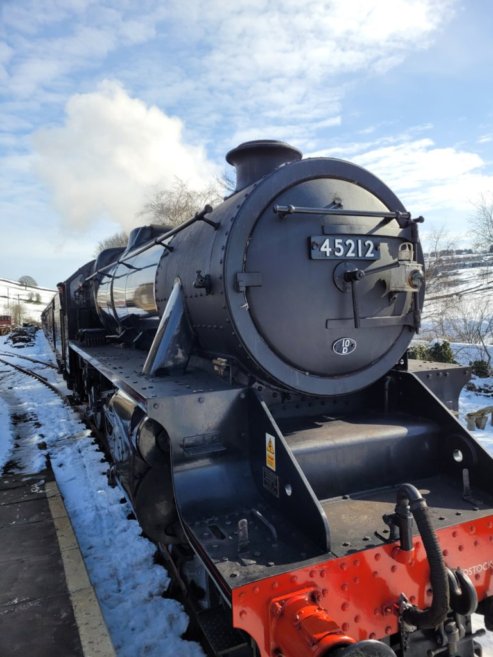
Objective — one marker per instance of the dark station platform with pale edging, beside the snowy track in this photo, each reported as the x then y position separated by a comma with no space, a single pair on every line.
48,607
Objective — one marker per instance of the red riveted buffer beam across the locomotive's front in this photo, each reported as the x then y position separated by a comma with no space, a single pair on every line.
358,594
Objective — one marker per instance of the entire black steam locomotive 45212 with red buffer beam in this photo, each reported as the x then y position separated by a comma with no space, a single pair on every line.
248,372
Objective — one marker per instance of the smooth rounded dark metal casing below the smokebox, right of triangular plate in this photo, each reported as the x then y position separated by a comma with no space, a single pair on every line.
341,455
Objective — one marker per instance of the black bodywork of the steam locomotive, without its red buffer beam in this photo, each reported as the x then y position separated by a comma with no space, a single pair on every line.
267,429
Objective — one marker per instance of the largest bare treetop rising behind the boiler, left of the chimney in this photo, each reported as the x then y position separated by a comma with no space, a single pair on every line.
179,203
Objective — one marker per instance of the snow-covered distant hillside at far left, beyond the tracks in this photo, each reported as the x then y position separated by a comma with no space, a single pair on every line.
23,302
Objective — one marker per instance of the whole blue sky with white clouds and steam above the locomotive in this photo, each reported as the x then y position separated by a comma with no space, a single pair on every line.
104,101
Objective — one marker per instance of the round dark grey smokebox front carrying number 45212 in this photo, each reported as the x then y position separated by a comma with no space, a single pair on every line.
302,293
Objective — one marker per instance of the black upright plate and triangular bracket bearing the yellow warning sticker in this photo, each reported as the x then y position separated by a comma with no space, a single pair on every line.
218,445
